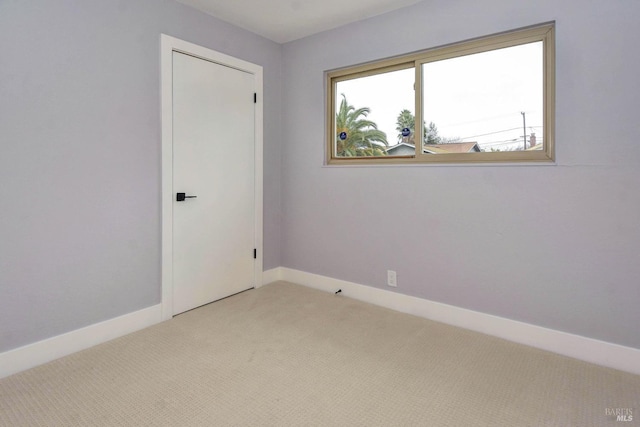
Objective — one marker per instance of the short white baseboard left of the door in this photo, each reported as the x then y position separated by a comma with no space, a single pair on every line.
29,356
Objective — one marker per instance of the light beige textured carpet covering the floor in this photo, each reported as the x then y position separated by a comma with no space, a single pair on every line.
285,355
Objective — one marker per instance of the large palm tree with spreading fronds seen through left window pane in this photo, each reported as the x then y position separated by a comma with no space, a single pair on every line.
355,135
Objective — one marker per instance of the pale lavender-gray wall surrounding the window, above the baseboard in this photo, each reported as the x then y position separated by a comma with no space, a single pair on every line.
555,246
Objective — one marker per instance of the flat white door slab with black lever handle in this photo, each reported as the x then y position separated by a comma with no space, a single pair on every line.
213,164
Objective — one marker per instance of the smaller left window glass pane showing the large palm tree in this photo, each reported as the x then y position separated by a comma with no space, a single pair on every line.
367,113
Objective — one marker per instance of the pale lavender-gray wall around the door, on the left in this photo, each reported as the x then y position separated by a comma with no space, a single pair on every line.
80,160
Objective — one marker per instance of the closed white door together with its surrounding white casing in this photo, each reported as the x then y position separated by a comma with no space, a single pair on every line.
185,261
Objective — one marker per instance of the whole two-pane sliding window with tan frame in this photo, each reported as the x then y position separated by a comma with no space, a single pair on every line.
485,100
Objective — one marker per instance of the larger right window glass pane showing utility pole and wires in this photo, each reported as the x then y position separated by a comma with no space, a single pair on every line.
489,101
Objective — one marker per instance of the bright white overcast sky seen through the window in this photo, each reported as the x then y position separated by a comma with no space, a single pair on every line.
478,97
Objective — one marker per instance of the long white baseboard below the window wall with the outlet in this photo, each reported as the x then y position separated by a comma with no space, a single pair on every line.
578,347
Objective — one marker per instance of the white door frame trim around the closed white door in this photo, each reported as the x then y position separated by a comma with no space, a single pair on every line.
168,45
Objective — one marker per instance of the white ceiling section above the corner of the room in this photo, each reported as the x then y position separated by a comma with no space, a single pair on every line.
286,20
